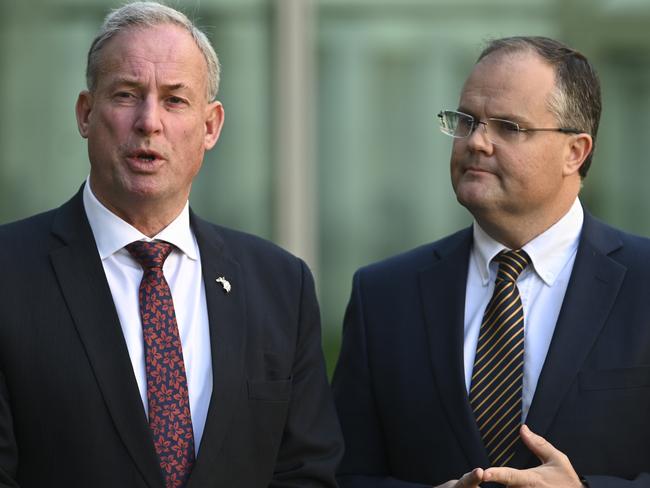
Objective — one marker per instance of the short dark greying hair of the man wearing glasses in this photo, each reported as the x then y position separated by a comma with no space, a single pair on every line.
576,100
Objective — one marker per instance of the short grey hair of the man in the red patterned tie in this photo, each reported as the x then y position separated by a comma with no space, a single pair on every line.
150,14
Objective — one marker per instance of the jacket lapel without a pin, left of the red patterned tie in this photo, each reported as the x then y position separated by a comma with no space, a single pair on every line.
83,283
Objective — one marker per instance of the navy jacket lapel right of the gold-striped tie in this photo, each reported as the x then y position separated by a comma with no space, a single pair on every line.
591,293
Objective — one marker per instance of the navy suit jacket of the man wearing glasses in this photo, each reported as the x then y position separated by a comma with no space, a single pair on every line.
399,385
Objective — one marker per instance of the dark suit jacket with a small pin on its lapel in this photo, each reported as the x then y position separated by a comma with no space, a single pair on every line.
70,411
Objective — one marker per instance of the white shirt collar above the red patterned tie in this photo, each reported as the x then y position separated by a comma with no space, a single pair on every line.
112,233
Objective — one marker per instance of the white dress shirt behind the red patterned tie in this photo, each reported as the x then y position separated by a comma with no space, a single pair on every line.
182,270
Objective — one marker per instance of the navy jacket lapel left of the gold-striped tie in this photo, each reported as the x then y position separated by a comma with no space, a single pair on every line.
443,287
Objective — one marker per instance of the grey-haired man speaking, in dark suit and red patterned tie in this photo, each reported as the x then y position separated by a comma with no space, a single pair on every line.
141,346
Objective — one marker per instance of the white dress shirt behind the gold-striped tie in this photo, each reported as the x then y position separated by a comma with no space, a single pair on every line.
542,286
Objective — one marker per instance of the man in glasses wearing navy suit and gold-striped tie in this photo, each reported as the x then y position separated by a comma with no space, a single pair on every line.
516,351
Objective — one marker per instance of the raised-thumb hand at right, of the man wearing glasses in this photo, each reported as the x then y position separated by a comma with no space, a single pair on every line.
555,471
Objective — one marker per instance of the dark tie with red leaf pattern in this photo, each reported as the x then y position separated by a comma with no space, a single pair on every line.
169,409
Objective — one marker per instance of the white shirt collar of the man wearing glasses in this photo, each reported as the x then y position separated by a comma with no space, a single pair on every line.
549,252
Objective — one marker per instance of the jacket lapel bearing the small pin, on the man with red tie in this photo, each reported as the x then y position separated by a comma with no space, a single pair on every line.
227,317
